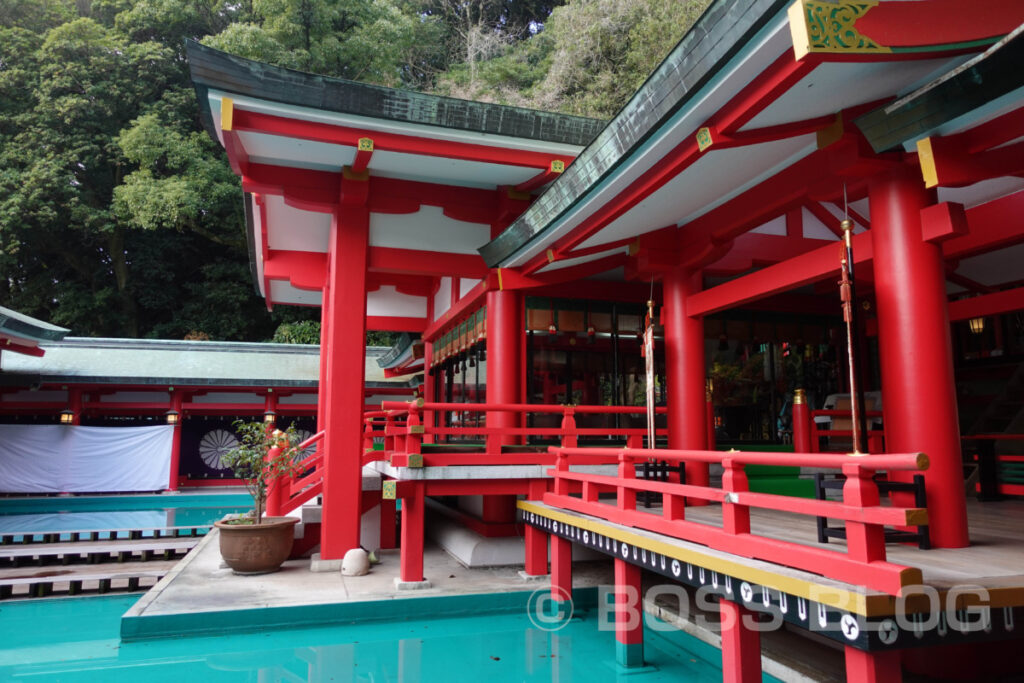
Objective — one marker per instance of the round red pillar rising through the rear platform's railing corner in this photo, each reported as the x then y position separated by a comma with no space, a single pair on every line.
505,332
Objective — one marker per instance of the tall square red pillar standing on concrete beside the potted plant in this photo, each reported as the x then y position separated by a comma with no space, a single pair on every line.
342,391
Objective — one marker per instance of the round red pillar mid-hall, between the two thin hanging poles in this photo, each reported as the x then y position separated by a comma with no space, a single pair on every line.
685,369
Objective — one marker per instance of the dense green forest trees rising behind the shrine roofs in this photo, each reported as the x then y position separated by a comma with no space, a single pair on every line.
120,218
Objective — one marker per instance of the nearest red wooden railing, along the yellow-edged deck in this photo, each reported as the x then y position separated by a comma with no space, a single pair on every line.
864,564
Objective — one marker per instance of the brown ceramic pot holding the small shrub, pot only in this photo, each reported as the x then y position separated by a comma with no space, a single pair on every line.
258,548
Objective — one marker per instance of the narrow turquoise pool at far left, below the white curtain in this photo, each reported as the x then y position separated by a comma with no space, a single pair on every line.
20,516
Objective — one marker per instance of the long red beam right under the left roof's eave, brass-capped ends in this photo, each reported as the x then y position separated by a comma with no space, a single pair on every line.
323,133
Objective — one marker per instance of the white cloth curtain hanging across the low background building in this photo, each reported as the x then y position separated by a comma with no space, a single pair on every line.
46,459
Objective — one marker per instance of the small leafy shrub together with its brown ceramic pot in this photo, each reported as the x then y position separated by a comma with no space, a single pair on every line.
265,460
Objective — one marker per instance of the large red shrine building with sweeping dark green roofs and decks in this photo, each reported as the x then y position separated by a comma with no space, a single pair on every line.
523,247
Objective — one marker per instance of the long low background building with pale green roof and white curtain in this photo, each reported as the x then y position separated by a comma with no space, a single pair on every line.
197,389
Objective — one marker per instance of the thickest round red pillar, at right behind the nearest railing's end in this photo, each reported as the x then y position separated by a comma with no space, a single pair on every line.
919,394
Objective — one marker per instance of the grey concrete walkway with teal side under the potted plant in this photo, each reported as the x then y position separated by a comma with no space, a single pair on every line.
201,595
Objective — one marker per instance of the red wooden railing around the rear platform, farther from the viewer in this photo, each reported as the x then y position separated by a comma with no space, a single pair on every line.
402,425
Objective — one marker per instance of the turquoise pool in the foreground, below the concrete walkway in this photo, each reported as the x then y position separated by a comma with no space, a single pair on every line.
76,639
